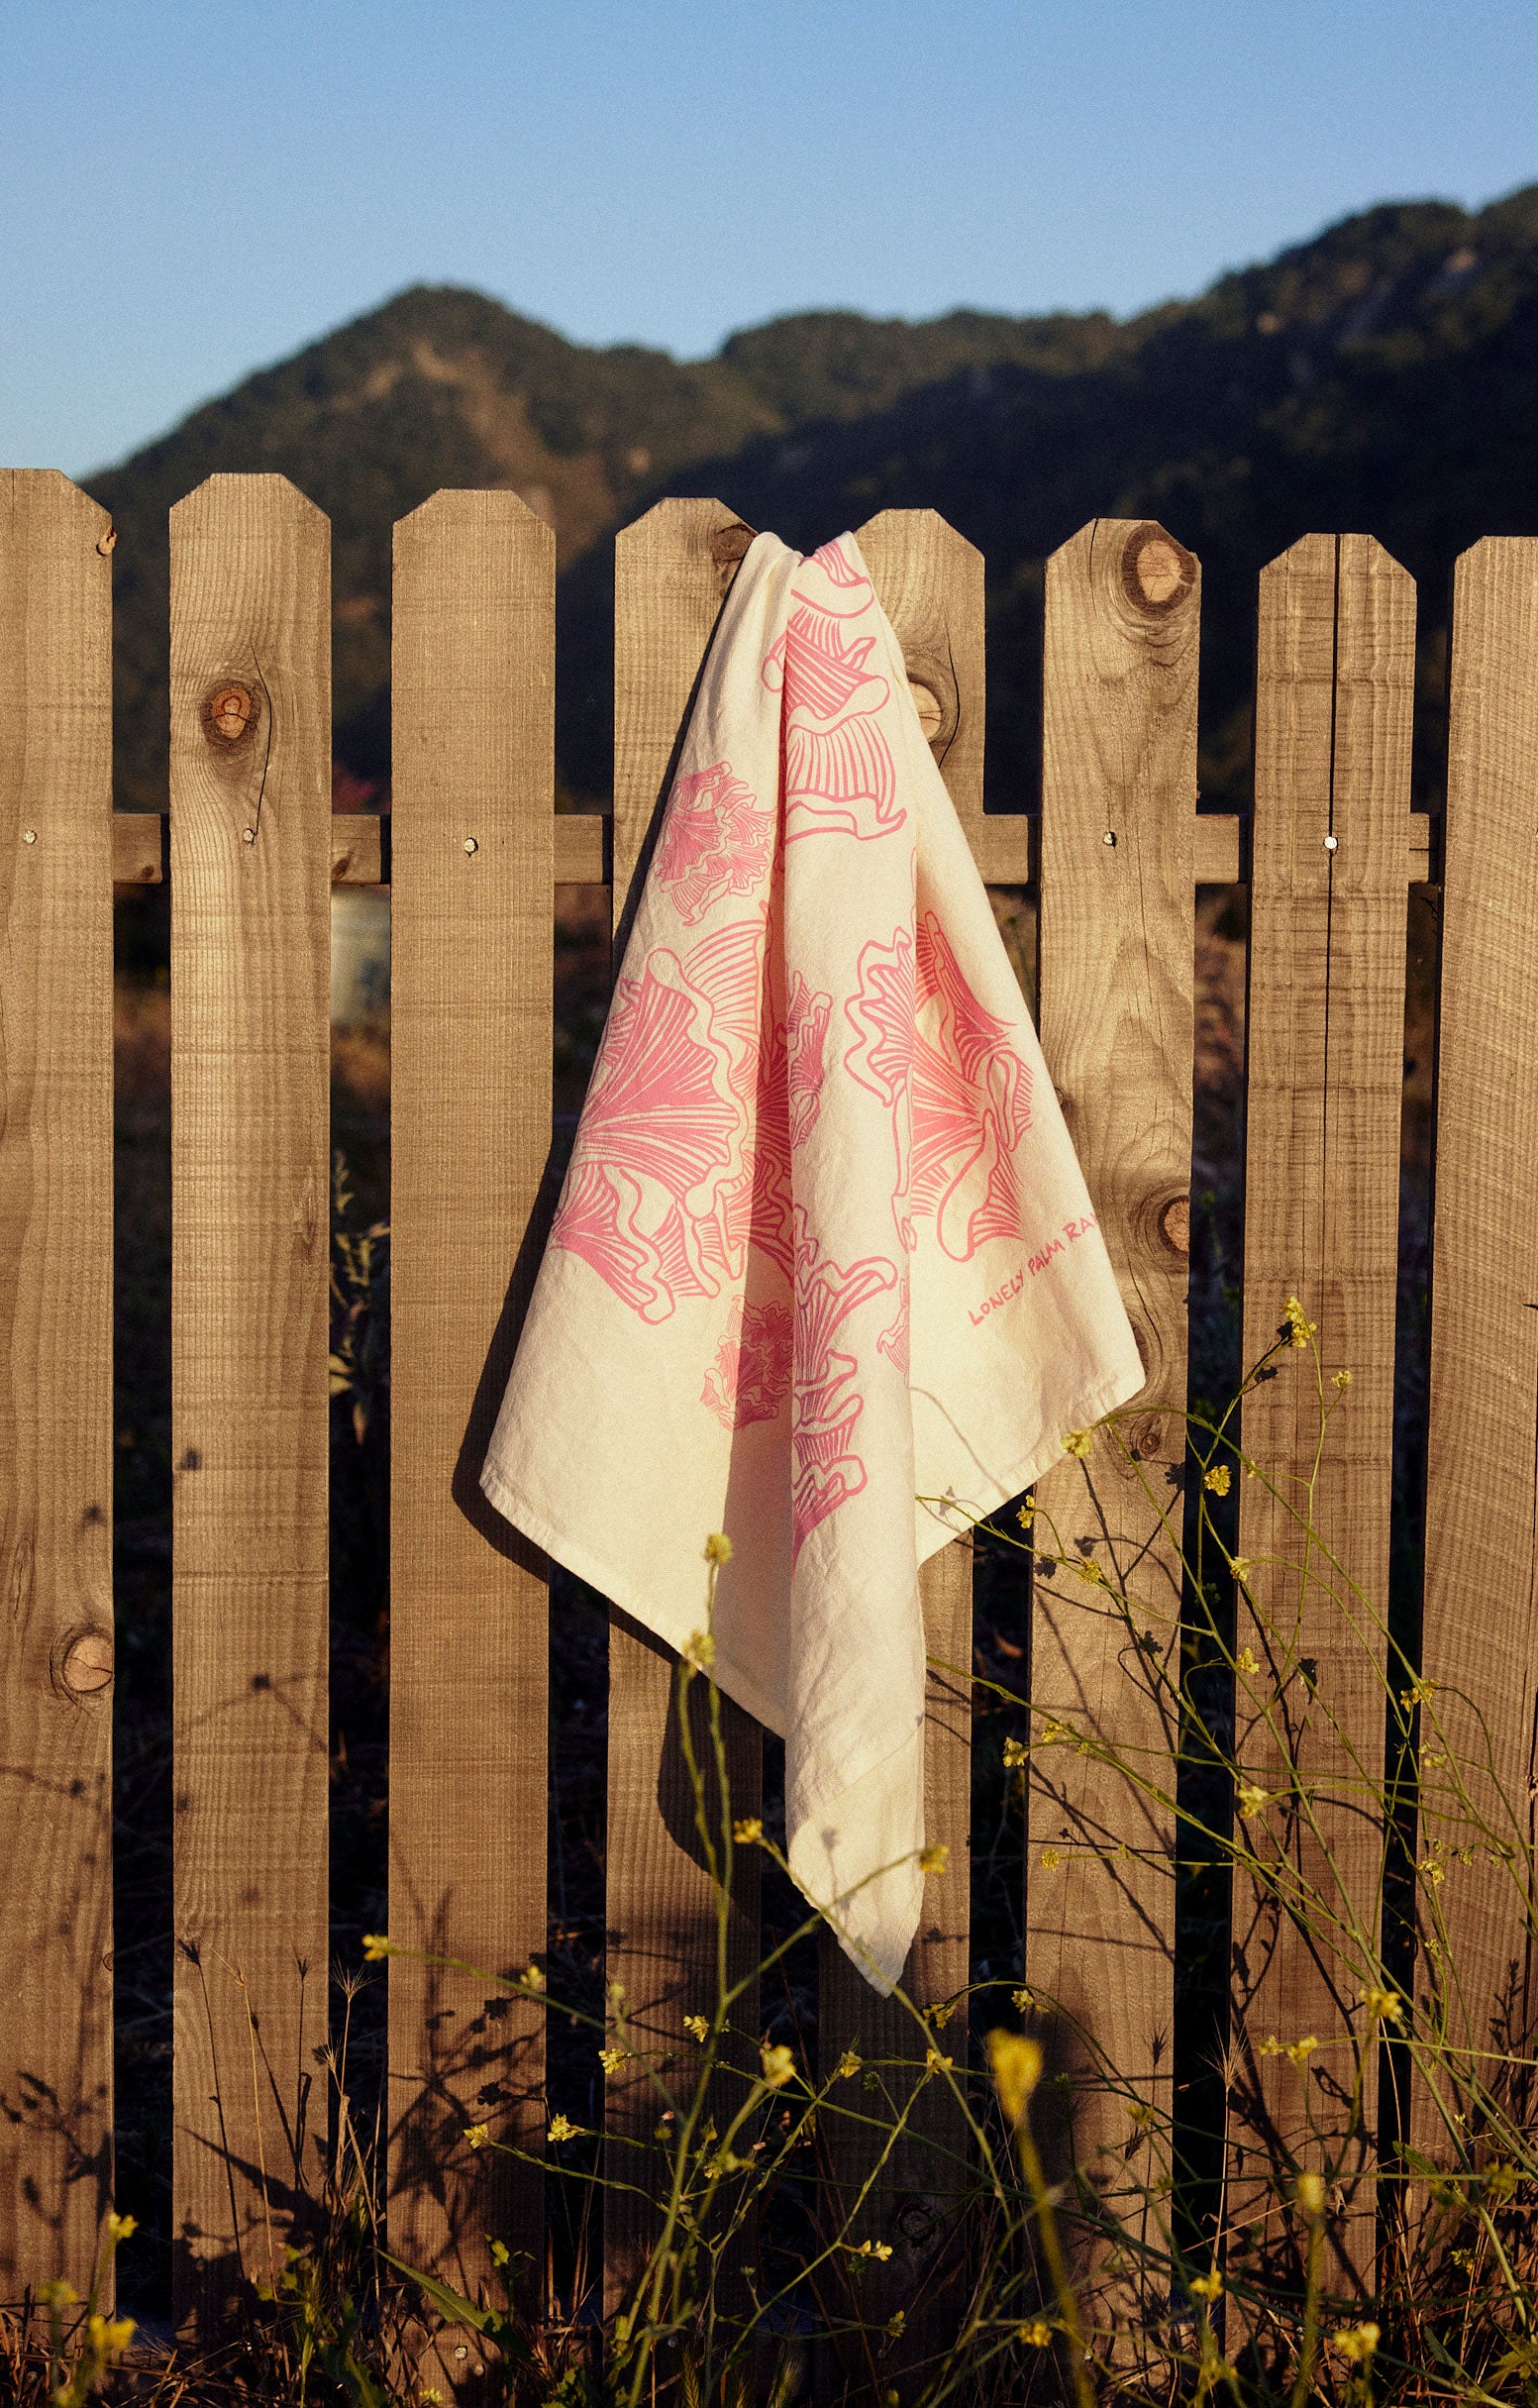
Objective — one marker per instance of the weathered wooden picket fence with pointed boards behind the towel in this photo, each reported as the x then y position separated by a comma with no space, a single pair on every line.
473,854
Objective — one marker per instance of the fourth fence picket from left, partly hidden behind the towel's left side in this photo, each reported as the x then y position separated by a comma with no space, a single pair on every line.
670,574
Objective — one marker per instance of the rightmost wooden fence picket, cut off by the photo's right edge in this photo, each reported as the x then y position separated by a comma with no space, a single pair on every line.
1481,1518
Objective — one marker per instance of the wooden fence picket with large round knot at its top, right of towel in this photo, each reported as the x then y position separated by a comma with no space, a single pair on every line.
1116,1017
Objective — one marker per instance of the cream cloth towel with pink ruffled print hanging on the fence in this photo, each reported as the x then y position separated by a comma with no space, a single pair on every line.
824,1273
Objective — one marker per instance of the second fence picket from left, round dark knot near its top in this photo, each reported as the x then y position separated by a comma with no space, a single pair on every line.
252,837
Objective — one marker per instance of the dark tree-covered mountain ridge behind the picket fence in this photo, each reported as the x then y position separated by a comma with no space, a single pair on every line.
1380,377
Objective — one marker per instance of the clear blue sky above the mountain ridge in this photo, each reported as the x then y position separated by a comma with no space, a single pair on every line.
191,191
